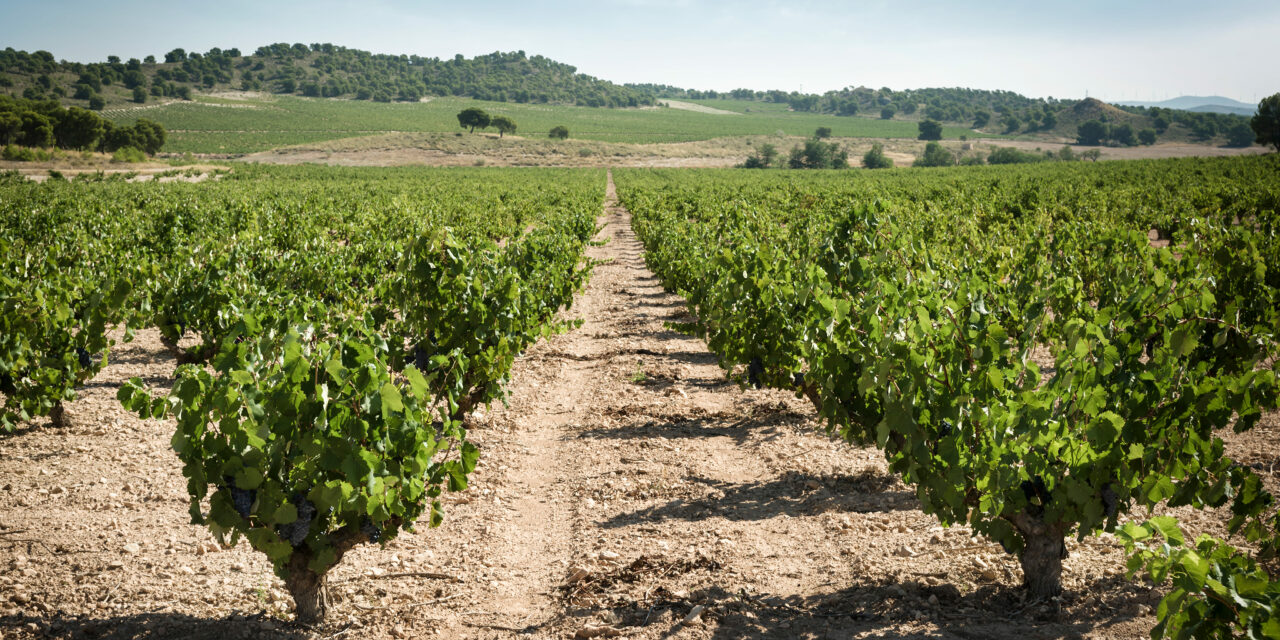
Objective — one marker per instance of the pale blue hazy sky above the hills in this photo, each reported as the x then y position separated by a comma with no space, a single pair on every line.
1114,51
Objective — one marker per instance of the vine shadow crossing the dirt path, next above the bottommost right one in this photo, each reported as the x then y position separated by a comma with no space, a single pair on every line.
792,495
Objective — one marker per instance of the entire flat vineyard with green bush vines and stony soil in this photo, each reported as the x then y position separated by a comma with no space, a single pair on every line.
1060,378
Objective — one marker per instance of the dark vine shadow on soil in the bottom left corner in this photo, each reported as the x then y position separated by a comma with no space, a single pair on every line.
154,627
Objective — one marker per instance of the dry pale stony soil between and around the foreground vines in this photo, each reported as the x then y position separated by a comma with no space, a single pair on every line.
628,488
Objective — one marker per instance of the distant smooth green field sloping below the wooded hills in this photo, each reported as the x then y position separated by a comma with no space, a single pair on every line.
222,126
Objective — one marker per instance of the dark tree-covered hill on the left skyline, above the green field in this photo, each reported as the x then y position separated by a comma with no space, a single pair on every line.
316,71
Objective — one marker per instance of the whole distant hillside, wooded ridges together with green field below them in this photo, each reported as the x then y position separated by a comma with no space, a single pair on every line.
225,102
